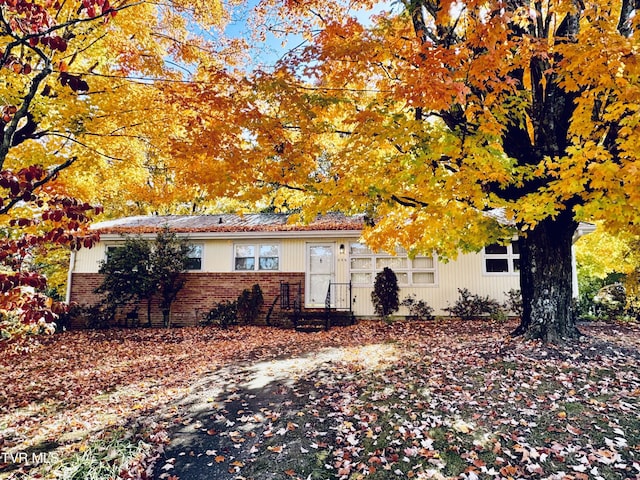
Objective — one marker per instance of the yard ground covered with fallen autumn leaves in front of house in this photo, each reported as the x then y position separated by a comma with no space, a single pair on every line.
411,400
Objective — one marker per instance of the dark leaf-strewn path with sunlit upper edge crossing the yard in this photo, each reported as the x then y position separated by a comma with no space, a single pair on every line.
235,415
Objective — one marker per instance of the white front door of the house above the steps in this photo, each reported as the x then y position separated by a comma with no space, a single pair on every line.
320,272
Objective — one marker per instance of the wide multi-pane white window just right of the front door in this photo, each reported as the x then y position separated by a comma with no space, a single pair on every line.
365,264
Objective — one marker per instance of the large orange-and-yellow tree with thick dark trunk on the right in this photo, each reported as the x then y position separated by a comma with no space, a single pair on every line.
437,114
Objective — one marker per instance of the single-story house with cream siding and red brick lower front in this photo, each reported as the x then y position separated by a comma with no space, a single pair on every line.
318,262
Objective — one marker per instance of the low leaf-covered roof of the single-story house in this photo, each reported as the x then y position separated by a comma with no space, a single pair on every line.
227,223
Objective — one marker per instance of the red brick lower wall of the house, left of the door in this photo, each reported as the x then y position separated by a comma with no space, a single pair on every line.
201,292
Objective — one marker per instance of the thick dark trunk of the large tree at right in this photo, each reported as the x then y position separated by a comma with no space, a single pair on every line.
546,281
